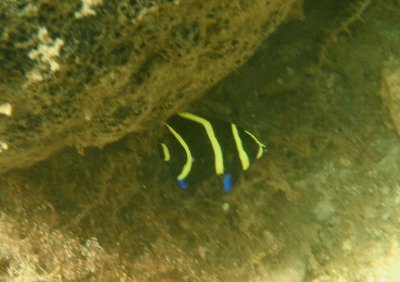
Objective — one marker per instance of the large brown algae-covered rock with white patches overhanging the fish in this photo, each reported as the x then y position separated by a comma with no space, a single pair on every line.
86,73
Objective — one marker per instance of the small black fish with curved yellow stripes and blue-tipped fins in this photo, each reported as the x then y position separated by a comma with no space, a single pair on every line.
197,147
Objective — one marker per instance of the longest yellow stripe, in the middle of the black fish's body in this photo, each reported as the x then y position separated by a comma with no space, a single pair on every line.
218,157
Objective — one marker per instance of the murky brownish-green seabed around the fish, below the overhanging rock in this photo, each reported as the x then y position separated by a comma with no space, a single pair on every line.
322,205
